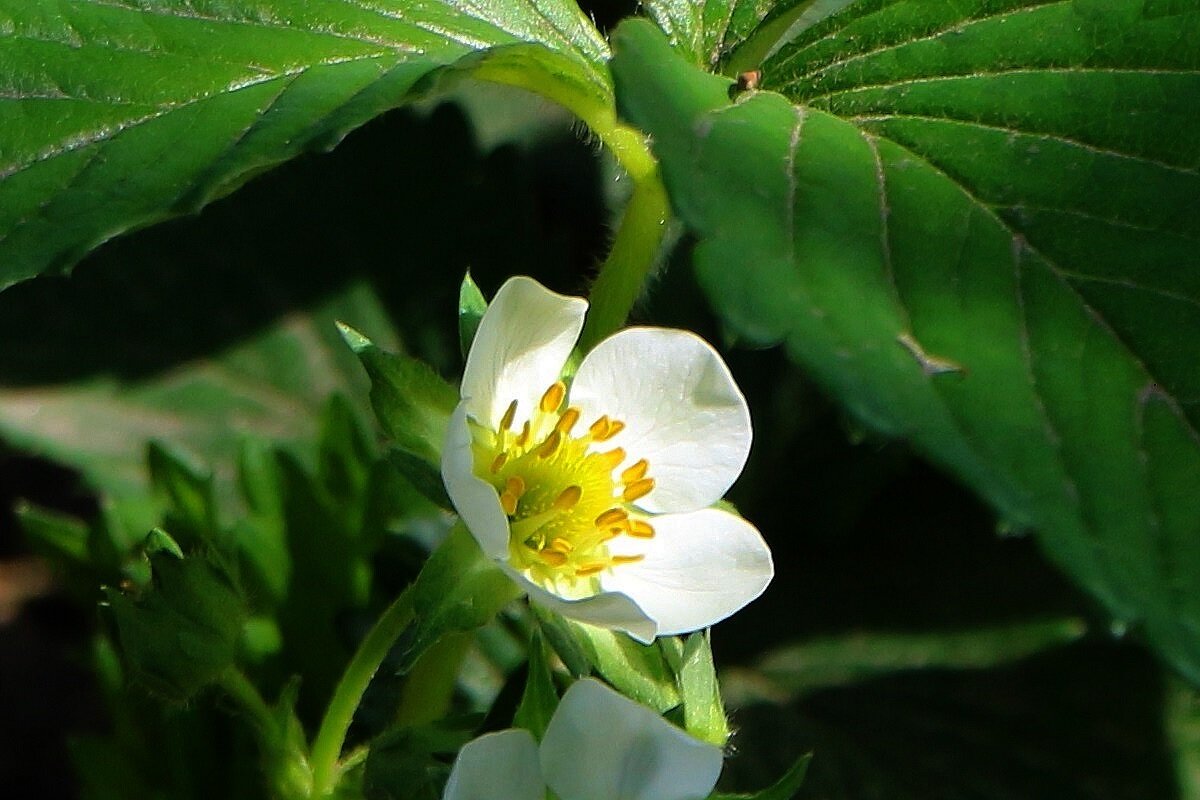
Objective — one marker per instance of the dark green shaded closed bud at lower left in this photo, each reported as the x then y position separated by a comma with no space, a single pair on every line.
183,631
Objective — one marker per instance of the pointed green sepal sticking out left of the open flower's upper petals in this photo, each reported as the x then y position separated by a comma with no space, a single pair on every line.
412,402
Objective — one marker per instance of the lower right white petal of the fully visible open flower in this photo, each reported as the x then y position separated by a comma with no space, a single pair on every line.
699,569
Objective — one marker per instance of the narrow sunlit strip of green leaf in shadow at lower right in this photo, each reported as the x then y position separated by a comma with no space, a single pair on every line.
825,663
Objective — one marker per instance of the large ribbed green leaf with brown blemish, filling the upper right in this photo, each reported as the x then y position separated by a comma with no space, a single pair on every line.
952,230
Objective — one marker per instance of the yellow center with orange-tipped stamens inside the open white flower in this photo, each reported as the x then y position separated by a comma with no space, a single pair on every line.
565,496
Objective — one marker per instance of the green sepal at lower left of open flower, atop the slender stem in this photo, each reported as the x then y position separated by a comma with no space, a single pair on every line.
459,590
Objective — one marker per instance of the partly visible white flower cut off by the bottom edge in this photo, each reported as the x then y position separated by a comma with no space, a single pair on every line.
598,747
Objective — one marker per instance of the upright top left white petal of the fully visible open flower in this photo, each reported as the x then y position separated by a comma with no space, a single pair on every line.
520,348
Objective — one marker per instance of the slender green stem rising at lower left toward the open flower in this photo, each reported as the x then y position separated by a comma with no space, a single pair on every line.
332,736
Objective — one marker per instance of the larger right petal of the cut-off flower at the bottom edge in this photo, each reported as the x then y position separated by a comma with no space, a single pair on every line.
604,747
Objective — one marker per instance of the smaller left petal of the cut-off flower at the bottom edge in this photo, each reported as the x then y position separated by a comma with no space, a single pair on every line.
500,766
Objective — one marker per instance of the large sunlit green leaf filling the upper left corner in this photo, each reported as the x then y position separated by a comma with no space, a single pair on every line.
99,95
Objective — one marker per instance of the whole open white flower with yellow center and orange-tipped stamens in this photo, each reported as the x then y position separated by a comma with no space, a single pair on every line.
596,498
